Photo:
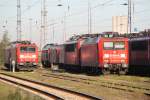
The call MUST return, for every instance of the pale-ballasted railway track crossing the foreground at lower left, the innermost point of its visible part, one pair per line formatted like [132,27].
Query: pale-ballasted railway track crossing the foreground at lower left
[50,92]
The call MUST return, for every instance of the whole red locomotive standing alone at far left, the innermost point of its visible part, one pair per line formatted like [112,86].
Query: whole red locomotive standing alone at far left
[23,53]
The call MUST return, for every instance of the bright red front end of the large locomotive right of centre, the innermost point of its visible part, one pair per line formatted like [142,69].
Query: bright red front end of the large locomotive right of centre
[115,55]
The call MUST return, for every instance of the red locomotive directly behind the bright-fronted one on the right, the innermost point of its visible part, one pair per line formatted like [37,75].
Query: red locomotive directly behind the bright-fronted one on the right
[72,52]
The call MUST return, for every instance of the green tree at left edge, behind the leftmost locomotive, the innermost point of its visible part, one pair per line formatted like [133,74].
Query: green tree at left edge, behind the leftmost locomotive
[3,44]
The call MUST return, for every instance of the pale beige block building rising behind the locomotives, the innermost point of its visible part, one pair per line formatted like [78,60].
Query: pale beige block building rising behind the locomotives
[120,24]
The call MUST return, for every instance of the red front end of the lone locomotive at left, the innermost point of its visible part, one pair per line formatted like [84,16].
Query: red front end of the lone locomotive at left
[27,57]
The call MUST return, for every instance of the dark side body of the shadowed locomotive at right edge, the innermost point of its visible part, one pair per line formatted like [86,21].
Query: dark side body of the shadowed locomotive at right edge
[139,52]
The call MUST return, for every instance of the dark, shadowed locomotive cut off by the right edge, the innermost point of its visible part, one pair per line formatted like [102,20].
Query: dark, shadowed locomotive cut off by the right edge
[140,52]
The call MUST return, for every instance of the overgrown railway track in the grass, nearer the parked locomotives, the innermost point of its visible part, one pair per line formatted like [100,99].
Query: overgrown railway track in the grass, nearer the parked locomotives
[107,84]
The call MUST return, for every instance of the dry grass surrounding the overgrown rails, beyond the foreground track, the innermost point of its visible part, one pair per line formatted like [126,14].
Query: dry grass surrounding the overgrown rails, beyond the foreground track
[96,90]
